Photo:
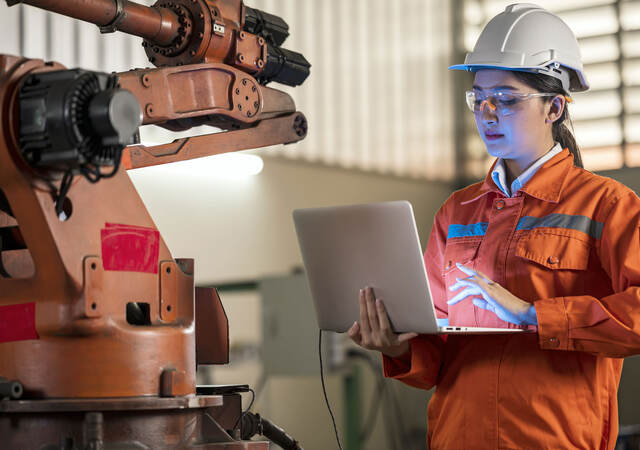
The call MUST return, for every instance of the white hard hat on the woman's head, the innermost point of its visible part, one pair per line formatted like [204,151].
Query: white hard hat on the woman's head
[529,38]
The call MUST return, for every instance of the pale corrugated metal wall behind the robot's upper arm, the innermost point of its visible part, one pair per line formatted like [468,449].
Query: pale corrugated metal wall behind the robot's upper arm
[378,98]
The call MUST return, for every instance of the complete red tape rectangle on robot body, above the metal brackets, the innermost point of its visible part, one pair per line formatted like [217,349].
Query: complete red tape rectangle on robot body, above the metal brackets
[130,248]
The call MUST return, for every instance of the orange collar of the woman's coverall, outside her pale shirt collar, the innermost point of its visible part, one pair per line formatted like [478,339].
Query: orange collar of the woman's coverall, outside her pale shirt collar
[546,185]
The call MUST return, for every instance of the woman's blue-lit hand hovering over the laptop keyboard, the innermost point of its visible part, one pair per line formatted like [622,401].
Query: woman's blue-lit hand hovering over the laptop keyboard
[495,298]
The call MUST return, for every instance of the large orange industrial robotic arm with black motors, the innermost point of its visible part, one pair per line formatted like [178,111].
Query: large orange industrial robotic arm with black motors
[100,326]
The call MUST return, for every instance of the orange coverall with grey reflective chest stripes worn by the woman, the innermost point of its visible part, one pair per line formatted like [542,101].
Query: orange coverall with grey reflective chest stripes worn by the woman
[568,241]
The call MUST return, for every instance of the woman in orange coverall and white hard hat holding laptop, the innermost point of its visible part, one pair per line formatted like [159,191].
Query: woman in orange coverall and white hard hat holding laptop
[540,243]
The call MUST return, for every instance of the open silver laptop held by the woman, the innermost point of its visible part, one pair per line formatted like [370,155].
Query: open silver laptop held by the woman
[347,248]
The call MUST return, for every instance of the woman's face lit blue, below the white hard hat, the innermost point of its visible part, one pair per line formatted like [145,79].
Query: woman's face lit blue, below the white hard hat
[524,133]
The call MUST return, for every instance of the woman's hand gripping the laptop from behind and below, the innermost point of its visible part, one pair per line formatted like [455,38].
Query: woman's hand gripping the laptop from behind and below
[374,332]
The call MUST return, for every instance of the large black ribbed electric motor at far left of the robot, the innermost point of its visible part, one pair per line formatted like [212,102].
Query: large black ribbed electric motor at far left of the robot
[76,122]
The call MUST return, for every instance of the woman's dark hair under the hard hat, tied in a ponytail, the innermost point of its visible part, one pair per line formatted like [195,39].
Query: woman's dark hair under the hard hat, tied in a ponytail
[559,131]
